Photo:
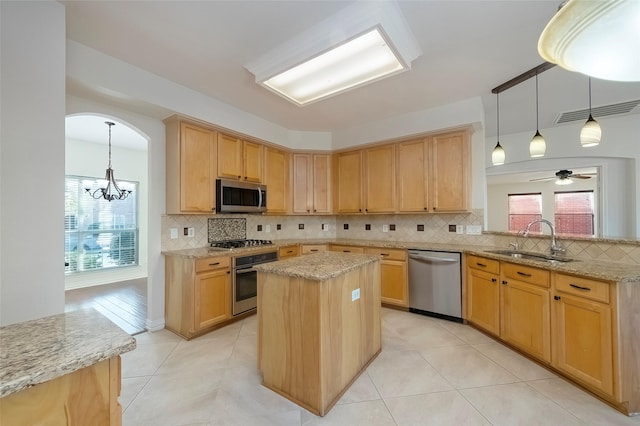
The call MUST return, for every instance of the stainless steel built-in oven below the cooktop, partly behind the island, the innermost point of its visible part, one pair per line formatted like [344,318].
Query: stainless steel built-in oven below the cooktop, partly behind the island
[245,280]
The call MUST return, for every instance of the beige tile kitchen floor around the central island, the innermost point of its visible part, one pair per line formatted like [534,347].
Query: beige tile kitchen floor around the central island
[430,372]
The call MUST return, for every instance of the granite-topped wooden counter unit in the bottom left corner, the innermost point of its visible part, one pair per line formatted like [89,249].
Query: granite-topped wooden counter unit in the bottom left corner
[62,369]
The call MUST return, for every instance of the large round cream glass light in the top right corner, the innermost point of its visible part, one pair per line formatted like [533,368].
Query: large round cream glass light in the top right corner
[597,38]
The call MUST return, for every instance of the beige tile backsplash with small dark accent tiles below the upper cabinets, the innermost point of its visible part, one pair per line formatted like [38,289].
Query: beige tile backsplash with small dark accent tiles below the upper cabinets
[440,228]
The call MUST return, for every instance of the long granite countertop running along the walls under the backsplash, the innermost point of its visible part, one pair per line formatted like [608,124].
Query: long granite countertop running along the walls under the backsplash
[611,271]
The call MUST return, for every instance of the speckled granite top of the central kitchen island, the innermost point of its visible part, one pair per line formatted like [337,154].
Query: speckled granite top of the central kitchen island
[318,266]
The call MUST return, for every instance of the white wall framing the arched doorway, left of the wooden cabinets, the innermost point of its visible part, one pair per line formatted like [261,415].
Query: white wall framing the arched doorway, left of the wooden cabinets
[153,130]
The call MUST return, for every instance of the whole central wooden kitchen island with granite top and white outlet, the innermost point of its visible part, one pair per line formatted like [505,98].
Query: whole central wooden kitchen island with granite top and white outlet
[318,325]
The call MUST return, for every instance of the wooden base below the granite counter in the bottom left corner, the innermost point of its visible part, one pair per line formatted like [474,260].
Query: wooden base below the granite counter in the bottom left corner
[88,396]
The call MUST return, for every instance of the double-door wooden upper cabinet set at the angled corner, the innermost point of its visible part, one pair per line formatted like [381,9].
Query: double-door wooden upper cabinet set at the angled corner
[311,183]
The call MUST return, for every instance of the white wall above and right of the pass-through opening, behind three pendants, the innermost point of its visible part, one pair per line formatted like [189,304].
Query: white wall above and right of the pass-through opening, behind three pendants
[617,154]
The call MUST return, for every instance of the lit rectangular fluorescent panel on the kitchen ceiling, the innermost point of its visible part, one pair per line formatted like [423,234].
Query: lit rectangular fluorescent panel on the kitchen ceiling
[362,60]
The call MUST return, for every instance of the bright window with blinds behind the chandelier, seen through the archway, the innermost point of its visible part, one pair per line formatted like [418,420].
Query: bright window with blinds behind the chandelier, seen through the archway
[98,234]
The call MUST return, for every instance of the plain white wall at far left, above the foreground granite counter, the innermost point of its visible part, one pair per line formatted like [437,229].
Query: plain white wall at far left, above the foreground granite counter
[32,160]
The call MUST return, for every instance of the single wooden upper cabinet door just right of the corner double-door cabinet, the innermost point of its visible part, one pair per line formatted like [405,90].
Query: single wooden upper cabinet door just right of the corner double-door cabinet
[347,182]
